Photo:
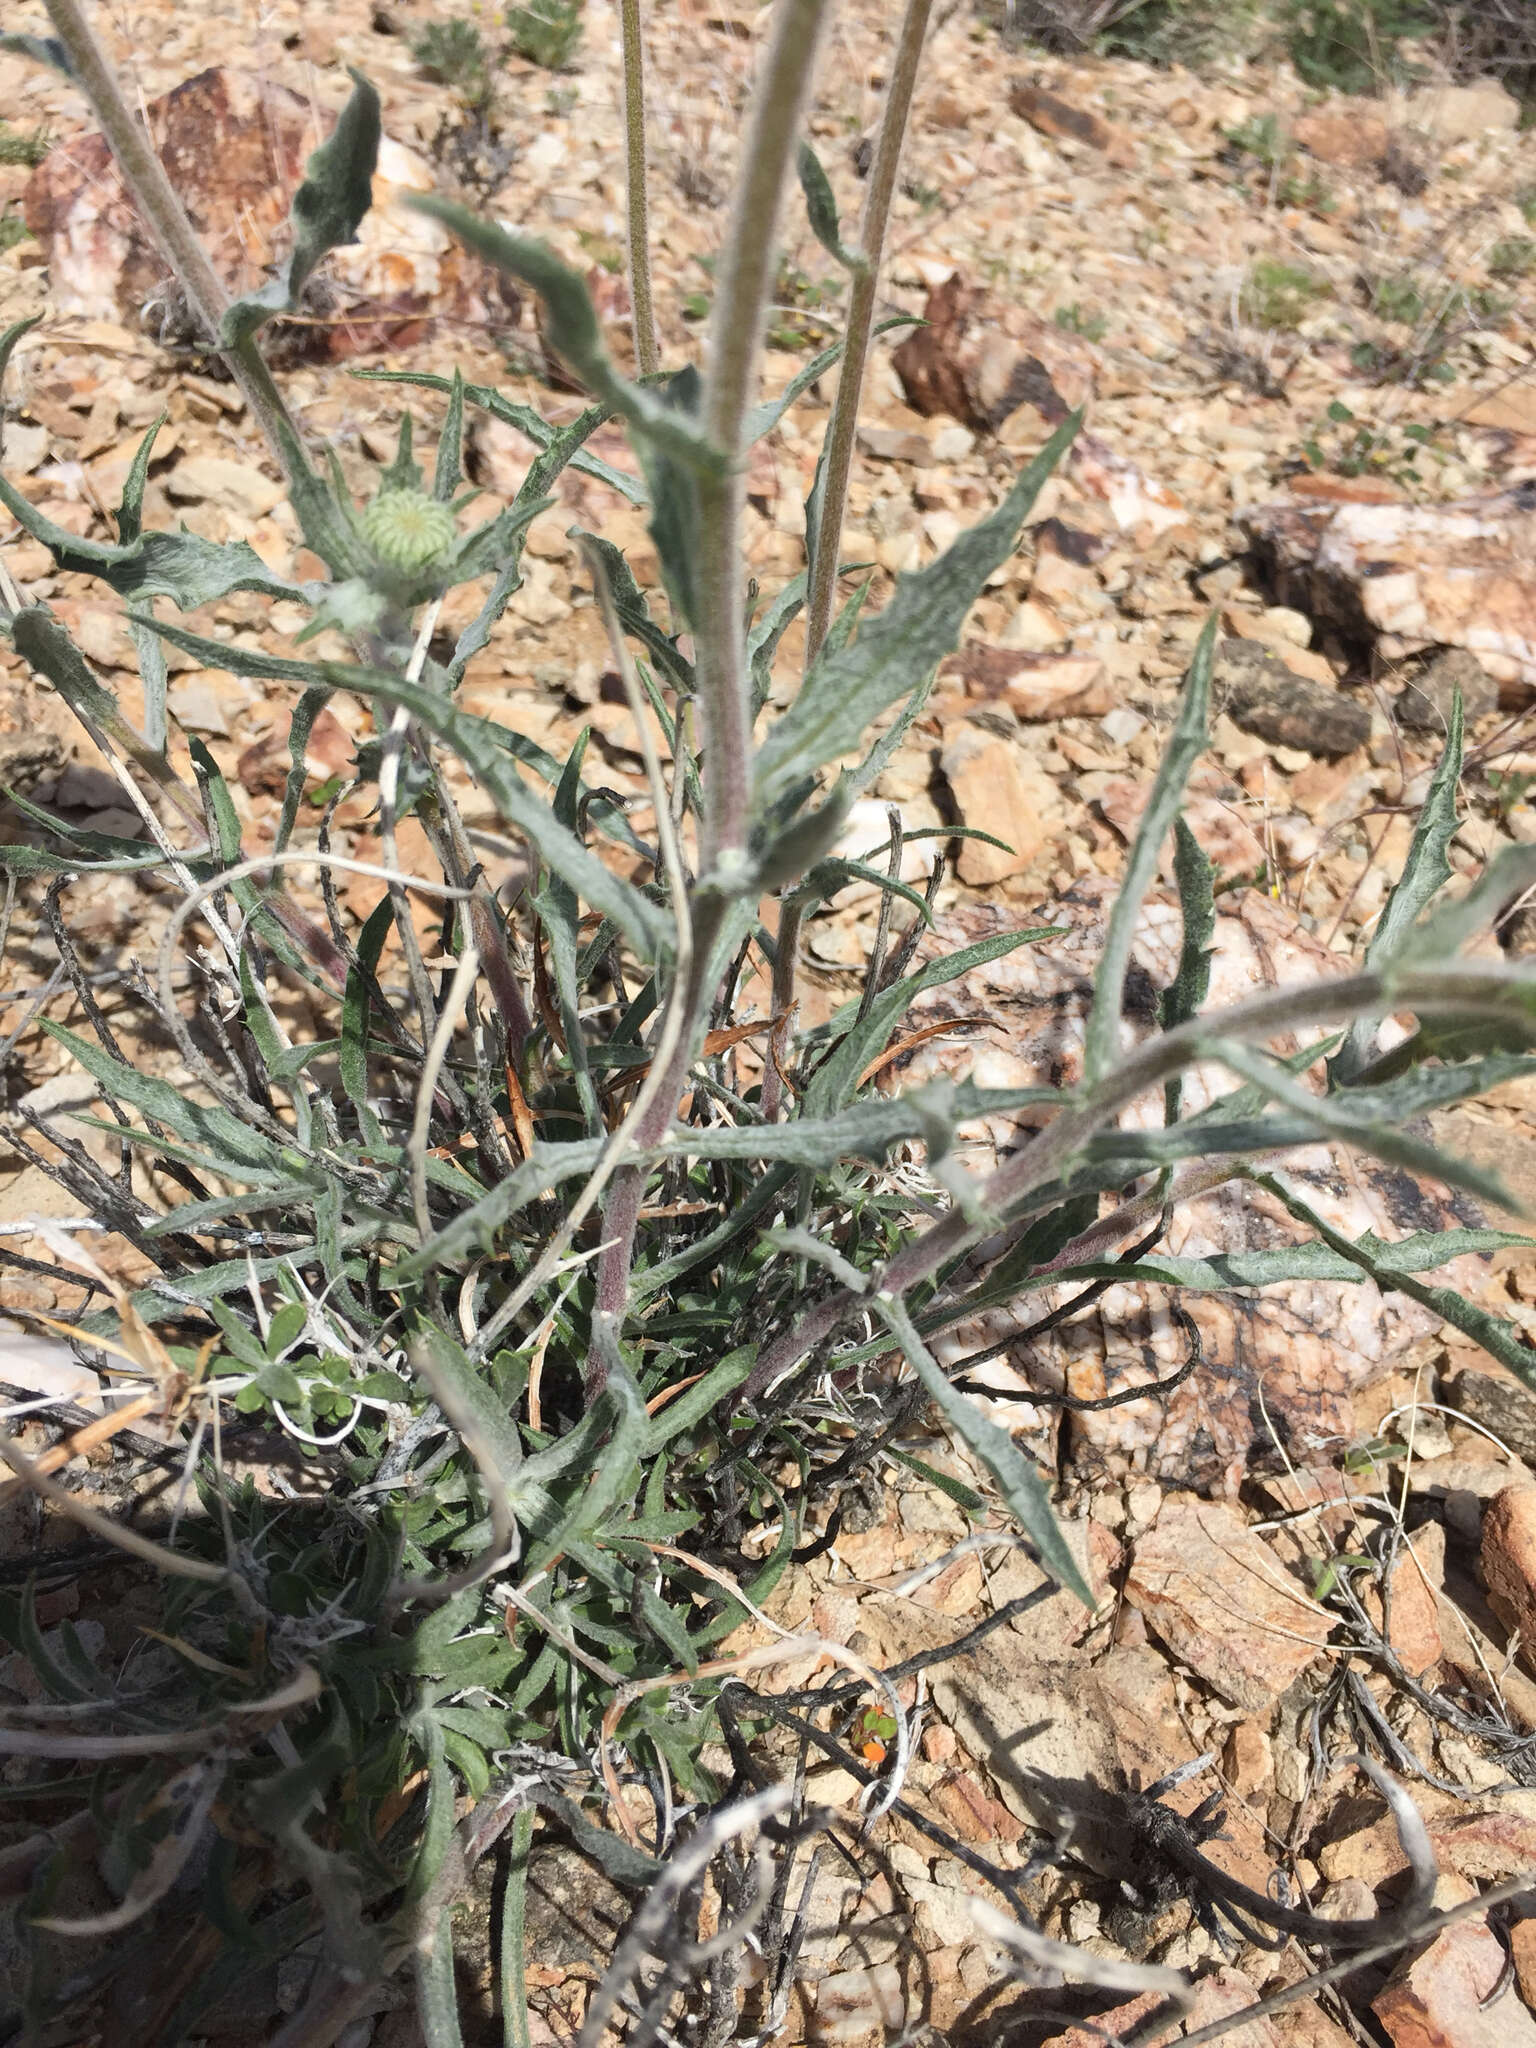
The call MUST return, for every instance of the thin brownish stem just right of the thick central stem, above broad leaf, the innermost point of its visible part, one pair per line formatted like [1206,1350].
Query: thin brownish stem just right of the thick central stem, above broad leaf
[861,321]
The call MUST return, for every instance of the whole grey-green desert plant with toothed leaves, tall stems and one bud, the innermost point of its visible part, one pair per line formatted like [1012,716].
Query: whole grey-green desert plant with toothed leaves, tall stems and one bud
[583,1318]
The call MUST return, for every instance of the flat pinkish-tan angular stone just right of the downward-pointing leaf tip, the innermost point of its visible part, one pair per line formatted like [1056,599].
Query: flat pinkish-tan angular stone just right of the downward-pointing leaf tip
[1224,1605]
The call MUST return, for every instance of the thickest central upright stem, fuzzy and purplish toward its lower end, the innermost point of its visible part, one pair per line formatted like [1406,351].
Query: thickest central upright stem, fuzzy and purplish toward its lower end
[742,288]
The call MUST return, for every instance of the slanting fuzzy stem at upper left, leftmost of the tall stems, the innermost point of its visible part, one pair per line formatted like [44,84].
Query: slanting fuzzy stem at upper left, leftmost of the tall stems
[179,245]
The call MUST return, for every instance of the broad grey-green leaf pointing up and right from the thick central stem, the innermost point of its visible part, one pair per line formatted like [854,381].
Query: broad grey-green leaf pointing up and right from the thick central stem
[896,652]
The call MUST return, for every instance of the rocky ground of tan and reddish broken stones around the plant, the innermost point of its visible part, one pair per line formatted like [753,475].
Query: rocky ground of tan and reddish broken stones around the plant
[1302,331]
